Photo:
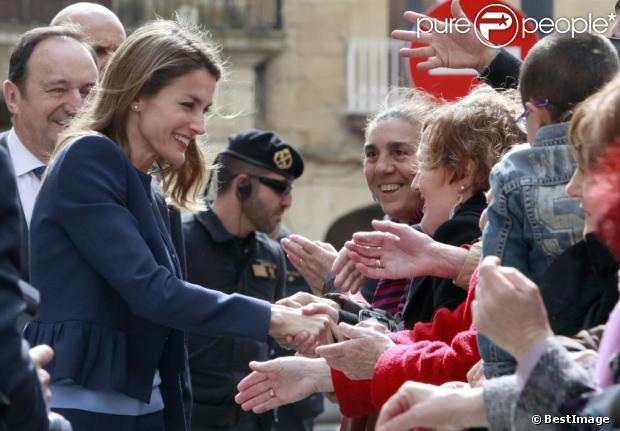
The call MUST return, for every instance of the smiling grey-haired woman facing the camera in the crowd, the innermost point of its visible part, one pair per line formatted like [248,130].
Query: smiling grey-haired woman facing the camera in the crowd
[391,140]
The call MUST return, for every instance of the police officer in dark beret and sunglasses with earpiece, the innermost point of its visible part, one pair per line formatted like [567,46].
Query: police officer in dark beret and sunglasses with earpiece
[226,250]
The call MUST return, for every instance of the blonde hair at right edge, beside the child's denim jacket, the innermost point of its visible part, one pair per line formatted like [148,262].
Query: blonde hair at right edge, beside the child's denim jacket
[595,124]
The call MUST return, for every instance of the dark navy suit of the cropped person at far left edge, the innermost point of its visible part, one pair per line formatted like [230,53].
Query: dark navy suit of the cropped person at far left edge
[21,400]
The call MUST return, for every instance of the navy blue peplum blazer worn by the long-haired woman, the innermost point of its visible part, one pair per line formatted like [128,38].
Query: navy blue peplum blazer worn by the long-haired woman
[112,304]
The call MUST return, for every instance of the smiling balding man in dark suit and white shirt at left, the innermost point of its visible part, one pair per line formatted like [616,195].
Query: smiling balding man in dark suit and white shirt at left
[51,71]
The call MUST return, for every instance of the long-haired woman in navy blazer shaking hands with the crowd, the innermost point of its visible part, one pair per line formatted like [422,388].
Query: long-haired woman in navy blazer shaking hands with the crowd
[114,306]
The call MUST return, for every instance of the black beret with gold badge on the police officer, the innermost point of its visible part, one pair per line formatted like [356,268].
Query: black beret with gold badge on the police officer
[267,150]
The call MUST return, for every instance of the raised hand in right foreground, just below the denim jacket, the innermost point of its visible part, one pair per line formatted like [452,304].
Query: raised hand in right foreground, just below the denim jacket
[508,308]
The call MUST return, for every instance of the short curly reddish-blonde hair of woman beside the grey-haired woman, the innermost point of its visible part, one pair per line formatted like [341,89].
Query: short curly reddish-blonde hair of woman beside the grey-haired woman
[478,129]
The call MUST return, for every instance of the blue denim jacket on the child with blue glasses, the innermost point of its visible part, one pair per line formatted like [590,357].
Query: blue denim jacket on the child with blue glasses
[531,219]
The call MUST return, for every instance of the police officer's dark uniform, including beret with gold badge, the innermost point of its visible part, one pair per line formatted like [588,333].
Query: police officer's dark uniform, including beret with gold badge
[253,266]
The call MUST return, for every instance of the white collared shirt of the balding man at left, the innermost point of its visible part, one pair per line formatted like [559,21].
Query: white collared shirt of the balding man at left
[27,182]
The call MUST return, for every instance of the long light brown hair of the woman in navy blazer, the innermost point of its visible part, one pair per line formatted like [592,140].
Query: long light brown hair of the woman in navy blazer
[150,59]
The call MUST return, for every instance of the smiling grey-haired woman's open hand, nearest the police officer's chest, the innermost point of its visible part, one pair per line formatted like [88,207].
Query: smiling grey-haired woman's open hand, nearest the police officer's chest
[313,259]
